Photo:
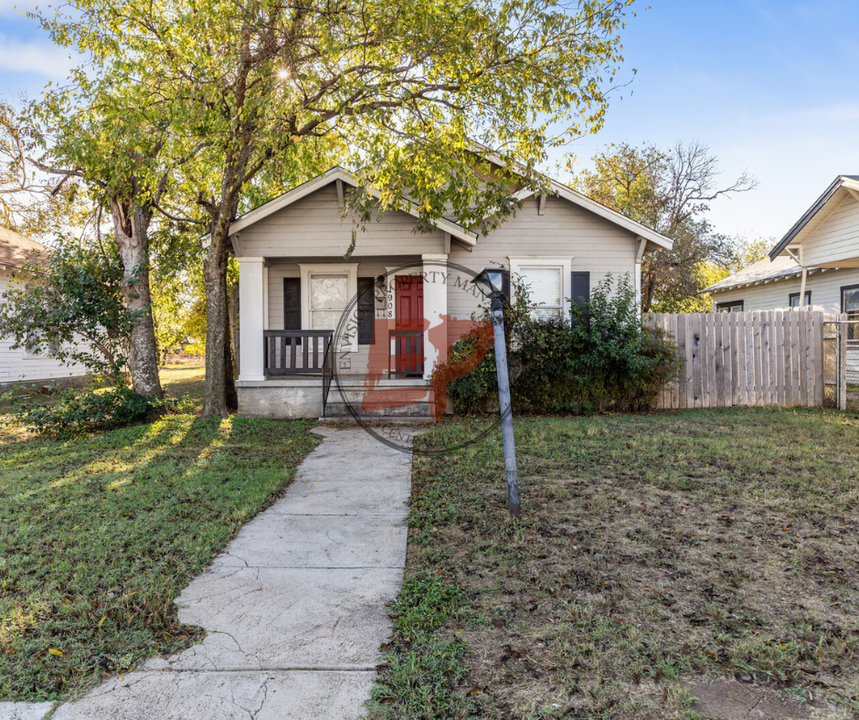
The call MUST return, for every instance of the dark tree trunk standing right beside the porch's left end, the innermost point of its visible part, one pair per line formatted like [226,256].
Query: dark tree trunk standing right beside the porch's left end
[220,385]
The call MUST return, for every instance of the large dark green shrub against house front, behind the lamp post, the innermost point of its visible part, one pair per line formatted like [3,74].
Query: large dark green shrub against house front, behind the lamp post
[600,356]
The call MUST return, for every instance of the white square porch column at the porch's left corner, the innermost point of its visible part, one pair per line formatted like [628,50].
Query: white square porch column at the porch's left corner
[251,318]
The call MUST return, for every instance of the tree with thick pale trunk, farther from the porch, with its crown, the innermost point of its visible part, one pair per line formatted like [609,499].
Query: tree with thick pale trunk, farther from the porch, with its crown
[123,148]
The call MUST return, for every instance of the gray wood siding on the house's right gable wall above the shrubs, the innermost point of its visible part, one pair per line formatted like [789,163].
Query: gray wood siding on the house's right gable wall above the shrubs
[563,230]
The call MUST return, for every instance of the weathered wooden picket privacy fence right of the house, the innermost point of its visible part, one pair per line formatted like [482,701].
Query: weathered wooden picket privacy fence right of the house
[773,357]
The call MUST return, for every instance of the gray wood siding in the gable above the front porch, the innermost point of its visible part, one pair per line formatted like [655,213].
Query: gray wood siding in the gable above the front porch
[316,222]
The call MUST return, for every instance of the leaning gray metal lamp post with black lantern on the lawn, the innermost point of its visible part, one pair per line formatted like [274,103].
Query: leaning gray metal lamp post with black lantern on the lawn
[491,282]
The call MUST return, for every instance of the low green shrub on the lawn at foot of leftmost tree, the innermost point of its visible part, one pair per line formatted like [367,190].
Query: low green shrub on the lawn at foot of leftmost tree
[74,412]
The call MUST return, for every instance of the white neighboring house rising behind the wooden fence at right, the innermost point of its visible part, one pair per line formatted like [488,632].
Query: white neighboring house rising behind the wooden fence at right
[818,259]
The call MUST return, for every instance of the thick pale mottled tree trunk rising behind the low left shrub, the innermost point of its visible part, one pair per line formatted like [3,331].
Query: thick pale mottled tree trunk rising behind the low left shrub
[131,233]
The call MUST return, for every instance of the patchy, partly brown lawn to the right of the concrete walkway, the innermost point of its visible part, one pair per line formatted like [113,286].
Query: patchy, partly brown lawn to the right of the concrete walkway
[652,550]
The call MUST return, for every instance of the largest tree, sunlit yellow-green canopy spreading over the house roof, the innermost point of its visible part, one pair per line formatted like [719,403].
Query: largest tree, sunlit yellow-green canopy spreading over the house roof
[411,87]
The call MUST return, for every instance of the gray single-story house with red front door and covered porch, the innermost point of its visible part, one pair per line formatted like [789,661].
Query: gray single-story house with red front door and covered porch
[405,295]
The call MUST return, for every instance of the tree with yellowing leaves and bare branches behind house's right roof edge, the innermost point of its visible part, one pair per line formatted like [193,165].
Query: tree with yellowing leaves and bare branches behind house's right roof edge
[670,191]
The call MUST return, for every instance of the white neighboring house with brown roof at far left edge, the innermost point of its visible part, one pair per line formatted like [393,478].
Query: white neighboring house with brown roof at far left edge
[19,364]
